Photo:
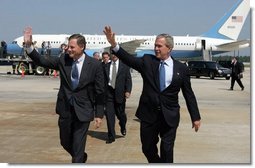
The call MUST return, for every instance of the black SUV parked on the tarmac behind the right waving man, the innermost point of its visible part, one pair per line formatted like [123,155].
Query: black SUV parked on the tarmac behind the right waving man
[211,69]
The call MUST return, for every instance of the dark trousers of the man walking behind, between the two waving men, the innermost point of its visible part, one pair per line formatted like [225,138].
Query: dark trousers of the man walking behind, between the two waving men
[112,109]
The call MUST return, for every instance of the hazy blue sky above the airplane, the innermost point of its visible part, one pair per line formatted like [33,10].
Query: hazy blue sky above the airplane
[128,17]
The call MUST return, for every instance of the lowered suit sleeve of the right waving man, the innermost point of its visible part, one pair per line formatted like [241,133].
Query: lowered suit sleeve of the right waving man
[189,97]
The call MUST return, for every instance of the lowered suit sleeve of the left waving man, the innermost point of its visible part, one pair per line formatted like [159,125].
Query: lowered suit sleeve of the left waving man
[100,89]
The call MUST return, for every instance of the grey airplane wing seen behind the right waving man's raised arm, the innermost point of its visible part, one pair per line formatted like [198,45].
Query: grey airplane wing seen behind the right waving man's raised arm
[129,46]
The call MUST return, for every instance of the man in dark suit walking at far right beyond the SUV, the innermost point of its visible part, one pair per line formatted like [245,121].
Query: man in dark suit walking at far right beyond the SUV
[237,73]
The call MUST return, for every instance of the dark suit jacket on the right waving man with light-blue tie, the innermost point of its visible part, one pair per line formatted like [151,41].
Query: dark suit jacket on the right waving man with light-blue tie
[152,99]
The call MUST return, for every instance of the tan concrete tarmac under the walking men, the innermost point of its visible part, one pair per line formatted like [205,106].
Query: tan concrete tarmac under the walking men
[29,132]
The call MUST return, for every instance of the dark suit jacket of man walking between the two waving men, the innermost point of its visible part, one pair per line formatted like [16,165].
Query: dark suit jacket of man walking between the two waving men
[123,81]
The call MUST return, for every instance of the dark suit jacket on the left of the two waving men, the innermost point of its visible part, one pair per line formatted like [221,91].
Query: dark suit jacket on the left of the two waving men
[89,90]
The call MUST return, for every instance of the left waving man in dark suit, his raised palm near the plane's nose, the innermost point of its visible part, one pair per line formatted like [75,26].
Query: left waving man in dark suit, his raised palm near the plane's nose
[81,85]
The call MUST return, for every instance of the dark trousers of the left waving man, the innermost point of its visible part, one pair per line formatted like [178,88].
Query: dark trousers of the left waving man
[73,135]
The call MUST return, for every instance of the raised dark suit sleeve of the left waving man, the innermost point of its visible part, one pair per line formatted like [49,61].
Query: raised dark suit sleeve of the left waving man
[44,61]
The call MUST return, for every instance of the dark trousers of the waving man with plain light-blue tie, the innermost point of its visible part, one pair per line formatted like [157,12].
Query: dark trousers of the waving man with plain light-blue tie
[149,133]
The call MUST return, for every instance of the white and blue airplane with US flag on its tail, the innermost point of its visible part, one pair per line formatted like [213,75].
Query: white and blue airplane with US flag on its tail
[221,38]
